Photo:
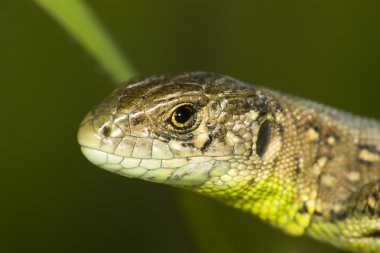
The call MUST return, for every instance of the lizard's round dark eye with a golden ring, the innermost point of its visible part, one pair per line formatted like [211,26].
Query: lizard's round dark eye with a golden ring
[183,117]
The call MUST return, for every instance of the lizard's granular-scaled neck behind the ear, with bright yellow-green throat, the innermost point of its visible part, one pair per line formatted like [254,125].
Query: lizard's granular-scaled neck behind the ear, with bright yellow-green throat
[271,184]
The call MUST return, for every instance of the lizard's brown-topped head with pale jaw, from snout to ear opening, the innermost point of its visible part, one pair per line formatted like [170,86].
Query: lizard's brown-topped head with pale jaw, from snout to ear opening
[194,130]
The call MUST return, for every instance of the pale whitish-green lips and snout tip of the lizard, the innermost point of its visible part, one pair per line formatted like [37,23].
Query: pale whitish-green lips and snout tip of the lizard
[185,171]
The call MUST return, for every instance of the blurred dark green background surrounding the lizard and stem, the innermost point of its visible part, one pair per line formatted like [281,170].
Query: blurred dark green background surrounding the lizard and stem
[53,200]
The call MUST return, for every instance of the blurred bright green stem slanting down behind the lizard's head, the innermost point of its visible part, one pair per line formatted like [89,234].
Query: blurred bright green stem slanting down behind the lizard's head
[78,20]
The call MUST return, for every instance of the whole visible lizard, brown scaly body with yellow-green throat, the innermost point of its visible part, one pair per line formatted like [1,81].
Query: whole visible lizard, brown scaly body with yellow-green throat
[301,166]
